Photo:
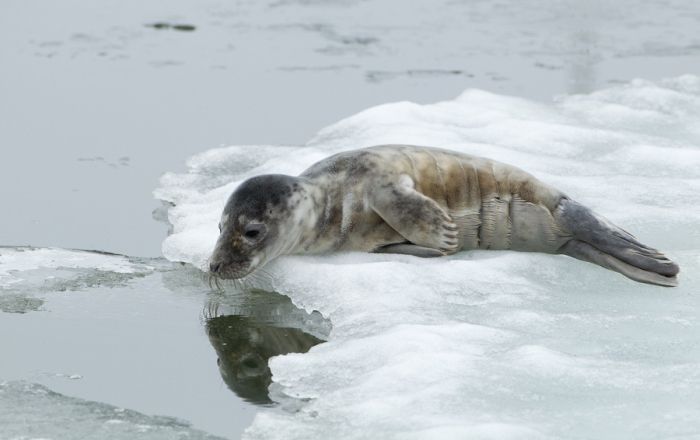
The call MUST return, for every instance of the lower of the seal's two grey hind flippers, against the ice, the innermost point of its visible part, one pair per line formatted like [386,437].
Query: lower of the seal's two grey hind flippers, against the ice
[586,252]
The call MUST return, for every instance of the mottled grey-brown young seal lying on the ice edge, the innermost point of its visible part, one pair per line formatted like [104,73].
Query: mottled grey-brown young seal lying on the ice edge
[420,201]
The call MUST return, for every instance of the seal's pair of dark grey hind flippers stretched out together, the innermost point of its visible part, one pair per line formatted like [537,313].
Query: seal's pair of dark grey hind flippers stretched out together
[598,241]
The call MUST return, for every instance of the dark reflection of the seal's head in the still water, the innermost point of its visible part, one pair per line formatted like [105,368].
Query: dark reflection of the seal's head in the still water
[245,343]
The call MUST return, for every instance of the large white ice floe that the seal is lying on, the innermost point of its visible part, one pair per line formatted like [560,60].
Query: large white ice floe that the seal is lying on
[492,344]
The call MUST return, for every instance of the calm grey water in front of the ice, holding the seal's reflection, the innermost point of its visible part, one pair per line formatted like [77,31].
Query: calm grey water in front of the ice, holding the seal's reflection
[145,341]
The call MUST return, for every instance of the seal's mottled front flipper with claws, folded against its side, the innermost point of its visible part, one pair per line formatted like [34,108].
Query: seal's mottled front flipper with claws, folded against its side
[417,218]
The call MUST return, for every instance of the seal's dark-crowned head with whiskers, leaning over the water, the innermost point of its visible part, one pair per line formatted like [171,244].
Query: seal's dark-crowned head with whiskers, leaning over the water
[260,221]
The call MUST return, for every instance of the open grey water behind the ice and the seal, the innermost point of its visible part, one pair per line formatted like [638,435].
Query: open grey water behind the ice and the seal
[97,102]
